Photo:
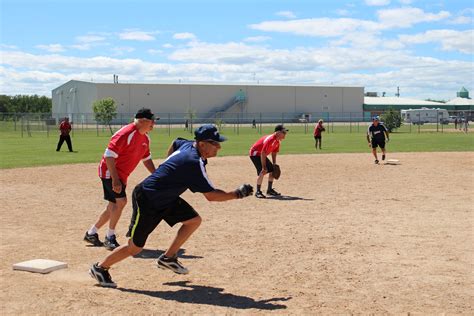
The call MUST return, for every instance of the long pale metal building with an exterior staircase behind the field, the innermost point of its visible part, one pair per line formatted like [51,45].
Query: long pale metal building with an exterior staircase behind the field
[77,97]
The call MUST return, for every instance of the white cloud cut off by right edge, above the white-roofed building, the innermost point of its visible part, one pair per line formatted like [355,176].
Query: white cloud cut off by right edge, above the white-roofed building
[450,40]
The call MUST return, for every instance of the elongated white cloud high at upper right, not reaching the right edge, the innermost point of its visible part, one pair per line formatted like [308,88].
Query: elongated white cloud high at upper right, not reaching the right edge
[406,17]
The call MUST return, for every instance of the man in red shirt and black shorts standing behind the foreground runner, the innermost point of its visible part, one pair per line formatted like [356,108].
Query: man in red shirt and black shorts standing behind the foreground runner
[127,147]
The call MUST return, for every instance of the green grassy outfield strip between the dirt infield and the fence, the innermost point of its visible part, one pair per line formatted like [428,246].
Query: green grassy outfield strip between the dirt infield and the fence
[39,148]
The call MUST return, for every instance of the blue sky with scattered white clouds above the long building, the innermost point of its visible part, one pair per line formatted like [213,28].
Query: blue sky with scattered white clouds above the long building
[424,47]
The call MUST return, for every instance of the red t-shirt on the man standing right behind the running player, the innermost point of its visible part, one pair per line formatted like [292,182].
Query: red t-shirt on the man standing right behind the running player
[128,147]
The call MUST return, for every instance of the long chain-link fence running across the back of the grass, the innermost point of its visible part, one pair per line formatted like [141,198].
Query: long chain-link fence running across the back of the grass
[27,124]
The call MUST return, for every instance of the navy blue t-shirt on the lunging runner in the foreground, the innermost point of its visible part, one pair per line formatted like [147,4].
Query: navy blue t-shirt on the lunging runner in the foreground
[183,169]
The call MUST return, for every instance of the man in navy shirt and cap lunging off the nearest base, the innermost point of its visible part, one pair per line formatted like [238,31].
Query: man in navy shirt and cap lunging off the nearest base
[158,198]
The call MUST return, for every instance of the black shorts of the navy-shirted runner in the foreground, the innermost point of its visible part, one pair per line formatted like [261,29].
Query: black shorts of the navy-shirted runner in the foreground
[149,217]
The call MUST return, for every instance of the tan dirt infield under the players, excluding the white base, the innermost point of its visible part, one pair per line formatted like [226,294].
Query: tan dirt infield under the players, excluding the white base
[349,237]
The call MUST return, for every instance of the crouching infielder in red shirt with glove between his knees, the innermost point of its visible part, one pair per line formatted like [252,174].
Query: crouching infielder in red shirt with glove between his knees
[268,144]
